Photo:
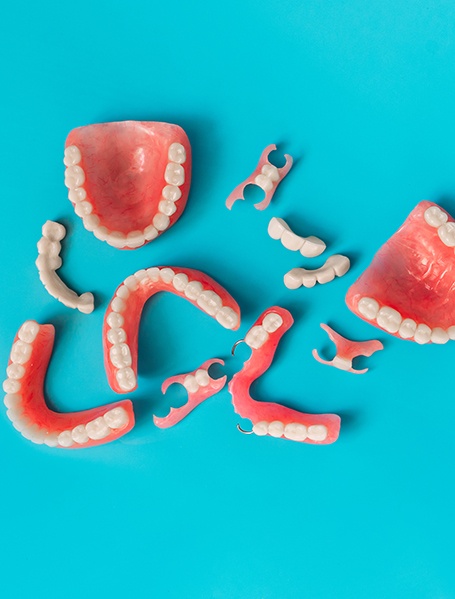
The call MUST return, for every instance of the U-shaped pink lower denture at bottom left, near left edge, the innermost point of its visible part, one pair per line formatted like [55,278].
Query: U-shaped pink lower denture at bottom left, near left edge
[27,409]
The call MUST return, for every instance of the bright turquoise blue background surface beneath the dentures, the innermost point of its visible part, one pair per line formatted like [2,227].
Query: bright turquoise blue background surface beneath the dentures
[361,94]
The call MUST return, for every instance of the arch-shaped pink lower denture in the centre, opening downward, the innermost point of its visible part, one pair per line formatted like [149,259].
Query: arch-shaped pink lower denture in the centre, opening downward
[121,323]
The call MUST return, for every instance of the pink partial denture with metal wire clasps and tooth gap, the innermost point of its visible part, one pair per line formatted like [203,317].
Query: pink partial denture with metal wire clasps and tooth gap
[271,418]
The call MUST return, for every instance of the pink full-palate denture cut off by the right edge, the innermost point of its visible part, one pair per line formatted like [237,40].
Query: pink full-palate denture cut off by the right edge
[408,289]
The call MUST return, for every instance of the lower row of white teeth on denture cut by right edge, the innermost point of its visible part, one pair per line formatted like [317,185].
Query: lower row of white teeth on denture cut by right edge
[391,321]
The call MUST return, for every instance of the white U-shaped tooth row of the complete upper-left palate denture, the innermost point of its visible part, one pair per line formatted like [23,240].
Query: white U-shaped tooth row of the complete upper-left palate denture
[174,176]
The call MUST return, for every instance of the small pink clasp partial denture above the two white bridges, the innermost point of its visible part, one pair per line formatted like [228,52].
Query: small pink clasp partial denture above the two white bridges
[266,176]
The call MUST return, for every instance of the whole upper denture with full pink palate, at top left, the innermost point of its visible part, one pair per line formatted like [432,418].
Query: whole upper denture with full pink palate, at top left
[129,181]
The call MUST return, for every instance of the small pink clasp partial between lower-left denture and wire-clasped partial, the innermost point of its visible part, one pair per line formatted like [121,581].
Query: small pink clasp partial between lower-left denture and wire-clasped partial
[200,386]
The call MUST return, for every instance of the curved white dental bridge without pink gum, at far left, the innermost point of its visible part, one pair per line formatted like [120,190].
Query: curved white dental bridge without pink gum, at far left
[49,261]
